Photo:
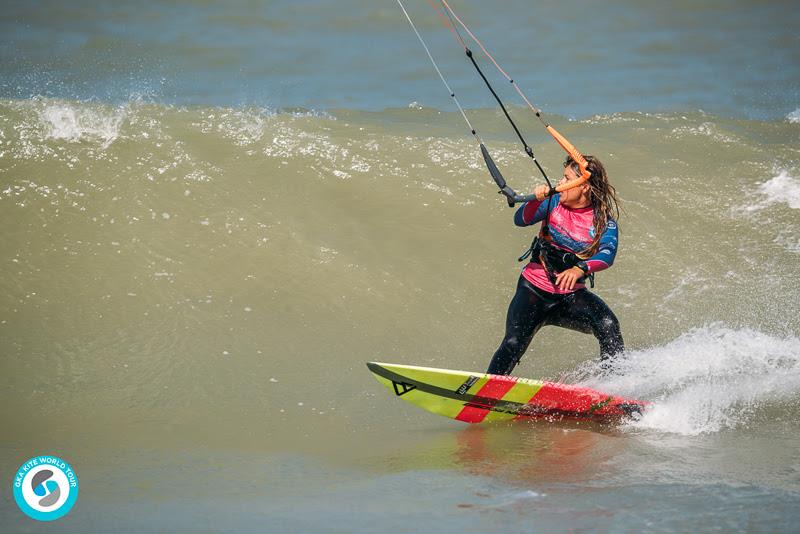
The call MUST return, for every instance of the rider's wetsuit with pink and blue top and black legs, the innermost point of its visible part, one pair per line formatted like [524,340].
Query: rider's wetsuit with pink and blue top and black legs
[538,301]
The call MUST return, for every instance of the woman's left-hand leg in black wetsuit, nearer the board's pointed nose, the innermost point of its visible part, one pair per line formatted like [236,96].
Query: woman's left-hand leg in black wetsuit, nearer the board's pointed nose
[526,314]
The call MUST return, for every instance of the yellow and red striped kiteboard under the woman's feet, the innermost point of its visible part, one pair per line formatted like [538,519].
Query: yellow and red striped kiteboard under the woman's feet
[478,397]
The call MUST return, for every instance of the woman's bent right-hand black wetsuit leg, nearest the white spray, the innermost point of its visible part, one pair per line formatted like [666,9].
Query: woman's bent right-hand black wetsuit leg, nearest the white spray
[586,312]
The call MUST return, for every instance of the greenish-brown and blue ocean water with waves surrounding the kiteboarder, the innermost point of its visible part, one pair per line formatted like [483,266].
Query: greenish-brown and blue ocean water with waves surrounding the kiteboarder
[215,214]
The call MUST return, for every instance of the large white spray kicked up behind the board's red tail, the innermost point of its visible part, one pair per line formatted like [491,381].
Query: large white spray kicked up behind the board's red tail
[708,379]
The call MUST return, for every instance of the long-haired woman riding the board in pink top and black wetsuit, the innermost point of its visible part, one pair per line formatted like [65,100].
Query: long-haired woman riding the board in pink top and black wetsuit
[578,238]
